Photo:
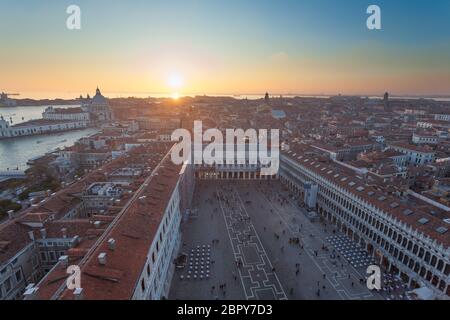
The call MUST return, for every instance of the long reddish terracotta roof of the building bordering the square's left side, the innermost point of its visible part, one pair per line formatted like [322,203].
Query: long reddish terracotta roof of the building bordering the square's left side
[134,233]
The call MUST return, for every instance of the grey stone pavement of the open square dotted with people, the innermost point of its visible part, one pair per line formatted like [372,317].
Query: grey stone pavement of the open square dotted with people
[249,226]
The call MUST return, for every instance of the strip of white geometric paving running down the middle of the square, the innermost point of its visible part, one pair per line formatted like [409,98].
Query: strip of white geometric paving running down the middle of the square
[258,278]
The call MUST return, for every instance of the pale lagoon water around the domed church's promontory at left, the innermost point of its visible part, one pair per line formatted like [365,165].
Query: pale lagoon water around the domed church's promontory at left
[15,152]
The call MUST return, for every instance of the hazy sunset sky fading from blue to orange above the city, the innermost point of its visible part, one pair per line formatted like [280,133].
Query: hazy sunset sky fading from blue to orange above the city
[224,47]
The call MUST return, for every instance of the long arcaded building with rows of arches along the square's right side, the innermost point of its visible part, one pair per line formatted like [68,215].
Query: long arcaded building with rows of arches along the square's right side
[418,258]
